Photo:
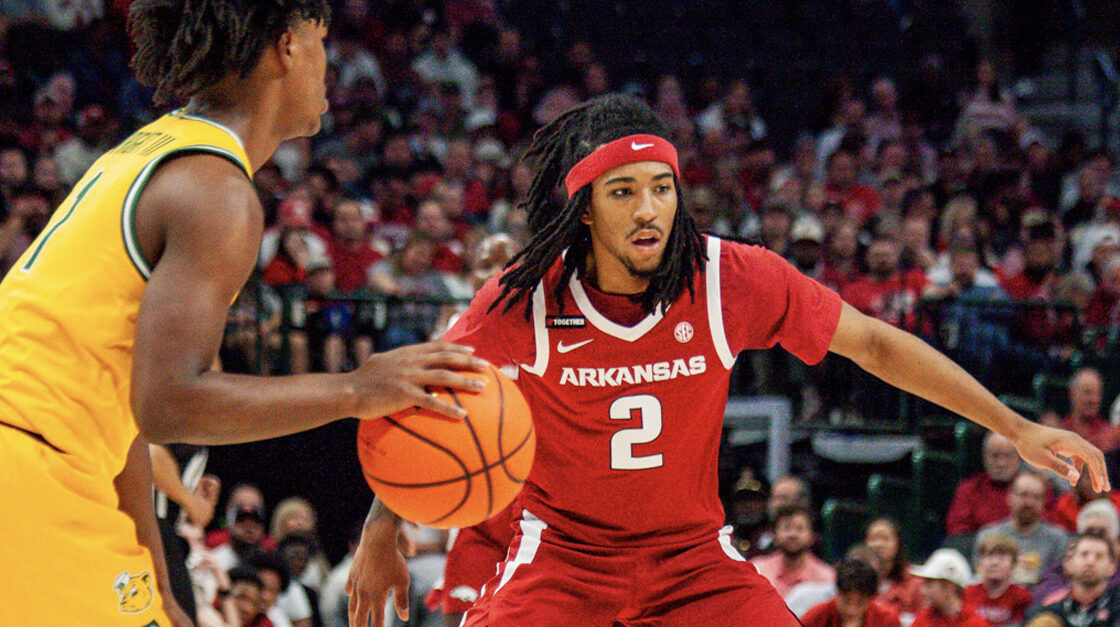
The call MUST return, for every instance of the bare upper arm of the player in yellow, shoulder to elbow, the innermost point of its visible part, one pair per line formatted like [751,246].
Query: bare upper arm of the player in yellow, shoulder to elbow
[211,231]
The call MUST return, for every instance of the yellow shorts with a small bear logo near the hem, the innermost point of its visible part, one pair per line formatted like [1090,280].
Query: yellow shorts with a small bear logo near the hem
[68,556]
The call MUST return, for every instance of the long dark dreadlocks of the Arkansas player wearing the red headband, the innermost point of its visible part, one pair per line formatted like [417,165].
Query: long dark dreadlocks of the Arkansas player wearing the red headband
[555,149]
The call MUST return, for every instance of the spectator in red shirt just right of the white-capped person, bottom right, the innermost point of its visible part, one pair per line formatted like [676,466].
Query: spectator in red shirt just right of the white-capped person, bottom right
[995,597]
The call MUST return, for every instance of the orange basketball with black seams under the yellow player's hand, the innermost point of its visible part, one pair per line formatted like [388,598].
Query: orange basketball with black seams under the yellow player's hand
[446,473]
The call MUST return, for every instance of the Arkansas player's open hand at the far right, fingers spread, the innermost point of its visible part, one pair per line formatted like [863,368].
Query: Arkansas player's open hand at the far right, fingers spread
[1046,447]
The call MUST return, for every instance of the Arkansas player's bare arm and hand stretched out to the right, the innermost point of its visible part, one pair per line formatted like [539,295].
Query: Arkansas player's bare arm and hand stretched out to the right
[906,362]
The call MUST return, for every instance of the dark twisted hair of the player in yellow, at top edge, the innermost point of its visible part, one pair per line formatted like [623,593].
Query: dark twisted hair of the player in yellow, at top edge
[184,46]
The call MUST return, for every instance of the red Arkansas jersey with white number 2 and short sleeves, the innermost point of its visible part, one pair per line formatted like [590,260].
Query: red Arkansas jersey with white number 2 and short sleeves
[629,418]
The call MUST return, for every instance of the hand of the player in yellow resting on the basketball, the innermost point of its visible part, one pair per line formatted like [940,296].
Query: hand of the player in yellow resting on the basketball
[397,380]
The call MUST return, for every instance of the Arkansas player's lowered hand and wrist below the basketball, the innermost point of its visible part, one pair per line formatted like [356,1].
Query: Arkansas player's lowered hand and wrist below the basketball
[379,567]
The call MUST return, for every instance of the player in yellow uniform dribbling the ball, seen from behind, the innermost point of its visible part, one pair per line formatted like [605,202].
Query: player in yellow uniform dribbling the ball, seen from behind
[114,316]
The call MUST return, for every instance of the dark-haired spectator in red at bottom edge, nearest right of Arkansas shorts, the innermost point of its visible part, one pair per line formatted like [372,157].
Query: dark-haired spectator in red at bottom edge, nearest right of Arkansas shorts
[855,605]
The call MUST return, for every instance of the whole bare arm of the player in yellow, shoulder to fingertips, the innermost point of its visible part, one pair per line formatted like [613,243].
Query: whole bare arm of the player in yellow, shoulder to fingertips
[200,222]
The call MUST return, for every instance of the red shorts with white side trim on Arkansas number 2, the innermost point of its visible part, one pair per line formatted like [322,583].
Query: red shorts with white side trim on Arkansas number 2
[549,582]
